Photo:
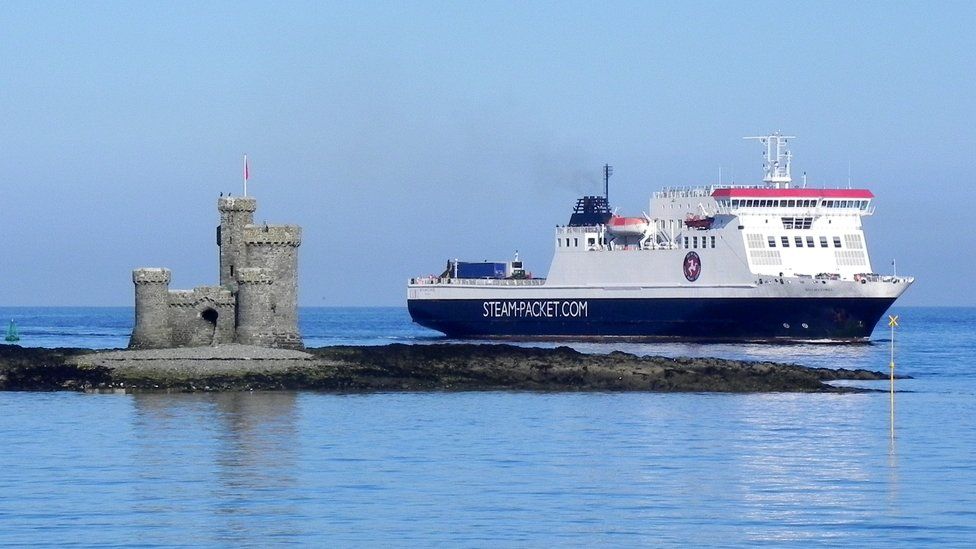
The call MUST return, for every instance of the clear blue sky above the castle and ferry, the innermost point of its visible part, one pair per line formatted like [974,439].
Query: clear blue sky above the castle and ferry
[401,134]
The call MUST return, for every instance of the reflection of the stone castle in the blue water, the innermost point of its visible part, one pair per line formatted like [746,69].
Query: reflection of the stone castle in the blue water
[221,466]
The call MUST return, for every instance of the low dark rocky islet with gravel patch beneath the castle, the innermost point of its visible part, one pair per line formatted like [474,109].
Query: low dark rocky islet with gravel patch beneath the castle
[398,367]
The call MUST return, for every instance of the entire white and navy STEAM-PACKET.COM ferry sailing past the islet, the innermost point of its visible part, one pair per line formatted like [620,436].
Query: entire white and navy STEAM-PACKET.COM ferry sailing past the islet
[768,262]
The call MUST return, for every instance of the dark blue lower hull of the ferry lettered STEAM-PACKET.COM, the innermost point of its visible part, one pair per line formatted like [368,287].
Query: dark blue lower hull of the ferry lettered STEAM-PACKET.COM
[716,319]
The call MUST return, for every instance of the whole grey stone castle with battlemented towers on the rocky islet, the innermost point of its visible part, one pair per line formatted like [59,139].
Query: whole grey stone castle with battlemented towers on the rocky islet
[256,302]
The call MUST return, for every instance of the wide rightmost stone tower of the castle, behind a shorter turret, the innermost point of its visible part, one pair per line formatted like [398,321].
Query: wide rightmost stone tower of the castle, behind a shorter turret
[274,248]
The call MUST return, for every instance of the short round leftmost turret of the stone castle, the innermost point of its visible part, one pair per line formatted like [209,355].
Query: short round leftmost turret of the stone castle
[152,328]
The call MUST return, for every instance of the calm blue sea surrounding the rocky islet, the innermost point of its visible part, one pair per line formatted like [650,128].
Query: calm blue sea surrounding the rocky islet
[499,468]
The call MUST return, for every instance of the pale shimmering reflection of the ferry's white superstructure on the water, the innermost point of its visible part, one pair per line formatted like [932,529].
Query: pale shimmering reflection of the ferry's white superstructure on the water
[766,467]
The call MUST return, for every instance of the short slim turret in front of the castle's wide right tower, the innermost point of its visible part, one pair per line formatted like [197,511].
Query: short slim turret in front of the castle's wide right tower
[255,317]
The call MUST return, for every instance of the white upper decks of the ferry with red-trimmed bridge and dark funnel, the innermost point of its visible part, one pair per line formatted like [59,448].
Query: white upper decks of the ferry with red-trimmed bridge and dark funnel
[769,229]
